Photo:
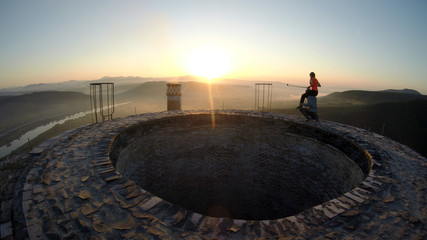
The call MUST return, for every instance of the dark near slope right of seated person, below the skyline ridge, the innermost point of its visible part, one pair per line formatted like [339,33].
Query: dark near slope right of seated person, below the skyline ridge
[405,122]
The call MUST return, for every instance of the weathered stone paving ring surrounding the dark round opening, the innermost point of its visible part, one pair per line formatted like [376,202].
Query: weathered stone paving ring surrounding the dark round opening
[74,192]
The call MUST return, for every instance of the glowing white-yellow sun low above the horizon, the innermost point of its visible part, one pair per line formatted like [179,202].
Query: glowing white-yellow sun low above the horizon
[208,61]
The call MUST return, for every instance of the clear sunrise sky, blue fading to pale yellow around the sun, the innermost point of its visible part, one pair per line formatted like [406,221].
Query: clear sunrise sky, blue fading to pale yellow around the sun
[364,44]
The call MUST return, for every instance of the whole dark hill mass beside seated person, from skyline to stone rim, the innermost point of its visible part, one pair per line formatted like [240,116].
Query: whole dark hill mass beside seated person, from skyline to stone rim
[401,116]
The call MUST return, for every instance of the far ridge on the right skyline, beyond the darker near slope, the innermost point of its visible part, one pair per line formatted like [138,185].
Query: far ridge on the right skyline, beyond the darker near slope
[358,97]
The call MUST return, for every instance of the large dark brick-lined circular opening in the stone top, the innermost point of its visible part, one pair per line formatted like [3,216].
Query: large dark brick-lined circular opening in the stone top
[243,167]
